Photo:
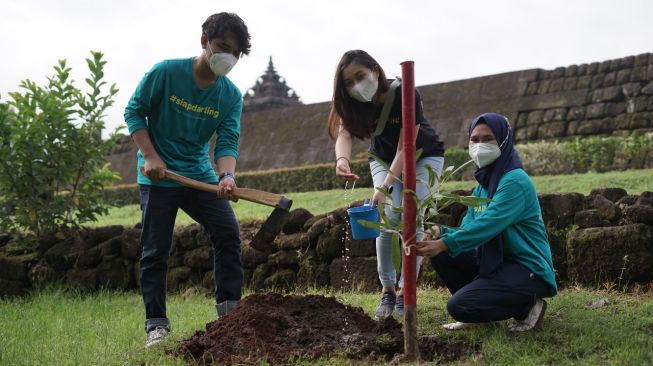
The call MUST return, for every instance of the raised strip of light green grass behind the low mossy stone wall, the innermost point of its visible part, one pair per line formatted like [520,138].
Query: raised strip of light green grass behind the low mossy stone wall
[633,181]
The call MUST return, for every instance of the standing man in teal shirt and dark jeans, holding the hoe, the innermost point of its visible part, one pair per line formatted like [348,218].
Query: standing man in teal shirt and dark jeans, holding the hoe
[171,116]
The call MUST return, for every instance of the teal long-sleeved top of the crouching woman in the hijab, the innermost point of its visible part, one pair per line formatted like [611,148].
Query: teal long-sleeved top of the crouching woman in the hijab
[515,211]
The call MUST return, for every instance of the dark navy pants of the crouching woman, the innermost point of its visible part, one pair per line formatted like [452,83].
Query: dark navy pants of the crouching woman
[510,293]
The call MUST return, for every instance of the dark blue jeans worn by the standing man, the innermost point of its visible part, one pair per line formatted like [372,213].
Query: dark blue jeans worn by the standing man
[159,206]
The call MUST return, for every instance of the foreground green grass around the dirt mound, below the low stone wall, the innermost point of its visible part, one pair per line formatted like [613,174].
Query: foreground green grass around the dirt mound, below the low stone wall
[57,328]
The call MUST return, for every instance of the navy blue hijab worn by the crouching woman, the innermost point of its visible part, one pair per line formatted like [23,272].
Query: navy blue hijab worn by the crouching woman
[490,254]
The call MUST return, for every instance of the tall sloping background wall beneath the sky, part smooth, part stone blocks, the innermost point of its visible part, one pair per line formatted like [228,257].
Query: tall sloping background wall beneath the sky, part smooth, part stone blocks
[600,98]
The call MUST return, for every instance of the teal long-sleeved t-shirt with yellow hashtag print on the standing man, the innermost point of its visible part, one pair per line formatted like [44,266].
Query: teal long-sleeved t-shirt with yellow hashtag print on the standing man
[180,118]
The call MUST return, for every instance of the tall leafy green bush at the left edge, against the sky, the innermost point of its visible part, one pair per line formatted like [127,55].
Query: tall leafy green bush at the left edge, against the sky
[52,172]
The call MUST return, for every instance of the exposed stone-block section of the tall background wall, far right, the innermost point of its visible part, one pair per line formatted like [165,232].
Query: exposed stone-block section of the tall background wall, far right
[599,98]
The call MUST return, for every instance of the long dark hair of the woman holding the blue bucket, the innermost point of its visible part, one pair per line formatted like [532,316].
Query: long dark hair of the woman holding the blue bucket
[357,118]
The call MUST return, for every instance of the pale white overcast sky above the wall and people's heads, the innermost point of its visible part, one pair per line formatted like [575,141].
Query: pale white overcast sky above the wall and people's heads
[447,40]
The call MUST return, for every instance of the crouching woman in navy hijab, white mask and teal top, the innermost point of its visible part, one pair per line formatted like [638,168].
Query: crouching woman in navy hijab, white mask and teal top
[497,264]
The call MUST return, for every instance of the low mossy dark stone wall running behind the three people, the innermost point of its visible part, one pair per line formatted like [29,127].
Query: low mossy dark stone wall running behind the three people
[606,237]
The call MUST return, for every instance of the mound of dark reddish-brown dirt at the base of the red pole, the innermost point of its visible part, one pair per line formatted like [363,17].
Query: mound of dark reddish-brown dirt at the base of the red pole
[278,329]
